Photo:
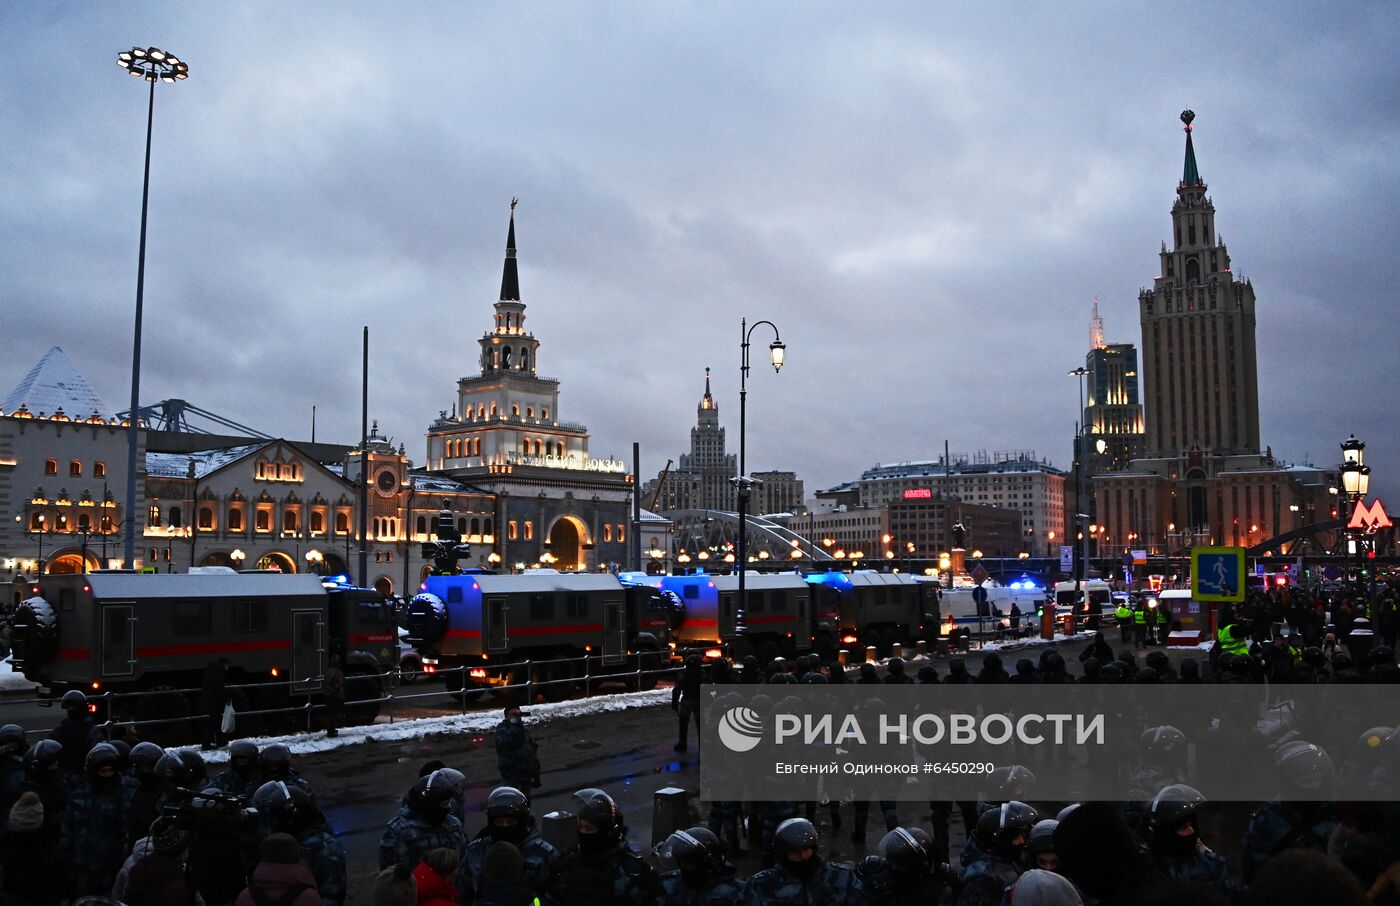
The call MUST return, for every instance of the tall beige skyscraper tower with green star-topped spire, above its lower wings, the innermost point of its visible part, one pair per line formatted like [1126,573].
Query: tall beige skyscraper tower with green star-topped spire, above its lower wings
[1200,372]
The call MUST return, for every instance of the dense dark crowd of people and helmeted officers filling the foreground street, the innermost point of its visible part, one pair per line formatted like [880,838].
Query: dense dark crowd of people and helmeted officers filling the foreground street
[148,827]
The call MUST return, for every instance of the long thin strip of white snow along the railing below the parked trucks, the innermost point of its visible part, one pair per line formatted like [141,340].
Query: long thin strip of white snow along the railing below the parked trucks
[475,722]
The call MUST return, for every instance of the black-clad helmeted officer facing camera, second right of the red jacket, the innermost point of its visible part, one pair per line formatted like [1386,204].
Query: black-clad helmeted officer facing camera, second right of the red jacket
[601,867]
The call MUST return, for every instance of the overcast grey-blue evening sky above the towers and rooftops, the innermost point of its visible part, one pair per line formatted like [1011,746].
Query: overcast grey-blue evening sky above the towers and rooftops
[925,198]
